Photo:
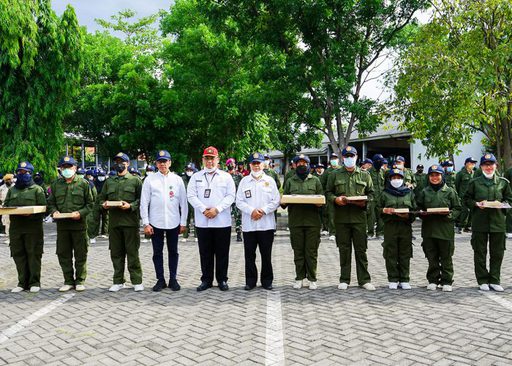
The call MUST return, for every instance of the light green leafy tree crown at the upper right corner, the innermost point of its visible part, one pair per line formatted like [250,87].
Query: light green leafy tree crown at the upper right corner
[456,78]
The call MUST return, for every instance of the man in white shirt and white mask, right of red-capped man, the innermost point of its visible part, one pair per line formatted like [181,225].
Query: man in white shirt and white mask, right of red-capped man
[258,198]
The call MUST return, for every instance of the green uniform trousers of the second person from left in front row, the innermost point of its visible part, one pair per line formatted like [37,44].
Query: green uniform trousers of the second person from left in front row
[73,243]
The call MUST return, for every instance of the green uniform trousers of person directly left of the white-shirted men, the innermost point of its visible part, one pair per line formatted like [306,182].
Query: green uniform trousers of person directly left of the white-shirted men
[124,244]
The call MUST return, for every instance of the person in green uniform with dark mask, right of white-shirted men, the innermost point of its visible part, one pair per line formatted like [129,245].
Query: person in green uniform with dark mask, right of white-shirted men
[304,223]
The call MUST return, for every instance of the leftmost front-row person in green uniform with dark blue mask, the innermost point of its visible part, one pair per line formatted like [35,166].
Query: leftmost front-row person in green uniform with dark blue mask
[26,231]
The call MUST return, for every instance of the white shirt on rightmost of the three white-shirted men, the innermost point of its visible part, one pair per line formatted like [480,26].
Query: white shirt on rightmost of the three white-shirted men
[258,194]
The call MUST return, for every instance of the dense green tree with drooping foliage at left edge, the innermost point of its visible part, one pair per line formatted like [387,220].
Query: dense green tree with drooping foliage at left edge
[40,64]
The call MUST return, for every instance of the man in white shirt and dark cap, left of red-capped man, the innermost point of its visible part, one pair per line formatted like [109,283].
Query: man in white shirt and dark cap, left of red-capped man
[164,209]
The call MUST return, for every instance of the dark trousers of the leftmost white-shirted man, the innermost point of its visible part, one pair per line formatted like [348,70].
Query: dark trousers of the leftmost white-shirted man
[172,250]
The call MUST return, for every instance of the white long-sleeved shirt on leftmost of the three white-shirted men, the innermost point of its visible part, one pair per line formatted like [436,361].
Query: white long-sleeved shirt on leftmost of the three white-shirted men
[163,201]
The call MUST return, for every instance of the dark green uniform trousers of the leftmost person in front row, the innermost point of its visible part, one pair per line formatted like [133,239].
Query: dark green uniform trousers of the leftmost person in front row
[27,251]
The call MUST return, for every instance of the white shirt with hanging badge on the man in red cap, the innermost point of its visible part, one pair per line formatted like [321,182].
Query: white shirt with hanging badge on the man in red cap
[215,190]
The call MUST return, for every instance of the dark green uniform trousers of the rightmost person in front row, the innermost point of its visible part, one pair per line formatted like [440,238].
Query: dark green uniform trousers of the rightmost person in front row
[496,252]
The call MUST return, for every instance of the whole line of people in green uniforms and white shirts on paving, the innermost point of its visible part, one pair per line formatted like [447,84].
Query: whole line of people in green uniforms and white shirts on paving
[360,200]
